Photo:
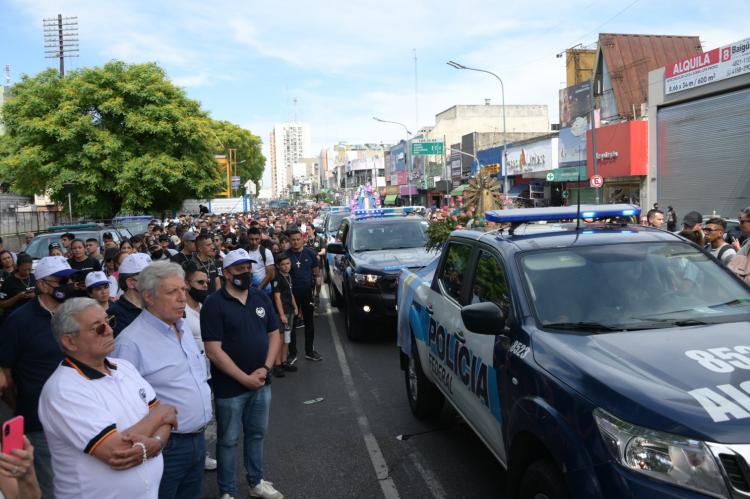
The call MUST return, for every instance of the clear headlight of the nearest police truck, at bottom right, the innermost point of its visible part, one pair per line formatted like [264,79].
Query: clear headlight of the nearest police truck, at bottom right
[678,460]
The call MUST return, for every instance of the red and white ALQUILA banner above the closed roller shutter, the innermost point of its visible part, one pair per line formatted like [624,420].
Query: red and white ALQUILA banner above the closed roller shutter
[708,67]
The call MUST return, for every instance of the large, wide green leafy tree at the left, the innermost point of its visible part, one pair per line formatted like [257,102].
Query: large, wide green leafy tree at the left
[128,138]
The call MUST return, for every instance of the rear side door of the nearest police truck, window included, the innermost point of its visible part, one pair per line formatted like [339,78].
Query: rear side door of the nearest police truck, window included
[448,357]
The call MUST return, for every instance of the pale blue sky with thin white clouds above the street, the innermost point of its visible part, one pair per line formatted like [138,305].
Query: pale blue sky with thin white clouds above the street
[336,64]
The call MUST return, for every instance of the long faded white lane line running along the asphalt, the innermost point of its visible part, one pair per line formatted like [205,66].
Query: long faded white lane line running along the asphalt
[387,486]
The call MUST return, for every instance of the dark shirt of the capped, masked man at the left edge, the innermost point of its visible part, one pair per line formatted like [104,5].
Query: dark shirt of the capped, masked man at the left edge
[29,349]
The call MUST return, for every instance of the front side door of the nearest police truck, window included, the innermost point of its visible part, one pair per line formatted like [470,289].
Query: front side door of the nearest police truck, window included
[486,282]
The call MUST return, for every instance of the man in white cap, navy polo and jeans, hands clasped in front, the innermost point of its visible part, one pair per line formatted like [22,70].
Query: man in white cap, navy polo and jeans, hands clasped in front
[241,336]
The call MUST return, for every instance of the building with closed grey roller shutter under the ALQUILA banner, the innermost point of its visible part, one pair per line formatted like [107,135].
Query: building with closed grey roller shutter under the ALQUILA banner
[700,132]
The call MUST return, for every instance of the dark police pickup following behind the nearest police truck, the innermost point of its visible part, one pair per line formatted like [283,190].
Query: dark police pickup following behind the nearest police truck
[371,248]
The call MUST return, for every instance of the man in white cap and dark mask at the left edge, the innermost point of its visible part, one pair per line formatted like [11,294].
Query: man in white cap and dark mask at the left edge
[29,354]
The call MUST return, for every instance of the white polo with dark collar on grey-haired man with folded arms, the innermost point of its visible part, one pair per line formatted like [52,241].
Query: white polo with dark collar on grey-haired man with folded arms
[80,408]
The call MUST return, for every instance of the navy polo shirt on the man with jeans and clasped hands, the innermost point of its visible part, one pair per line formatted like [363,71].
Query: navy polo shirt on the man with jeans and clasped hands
[242,330]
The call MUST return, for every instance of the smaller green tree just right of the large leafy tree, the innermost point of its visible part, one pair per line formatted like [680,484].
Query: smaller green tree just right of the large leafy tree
[250,159]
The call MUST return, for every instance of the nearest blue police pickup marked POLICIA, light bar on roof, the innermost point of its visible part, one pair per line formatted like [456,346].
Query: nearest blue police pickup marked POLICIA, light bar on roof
[598,360]
